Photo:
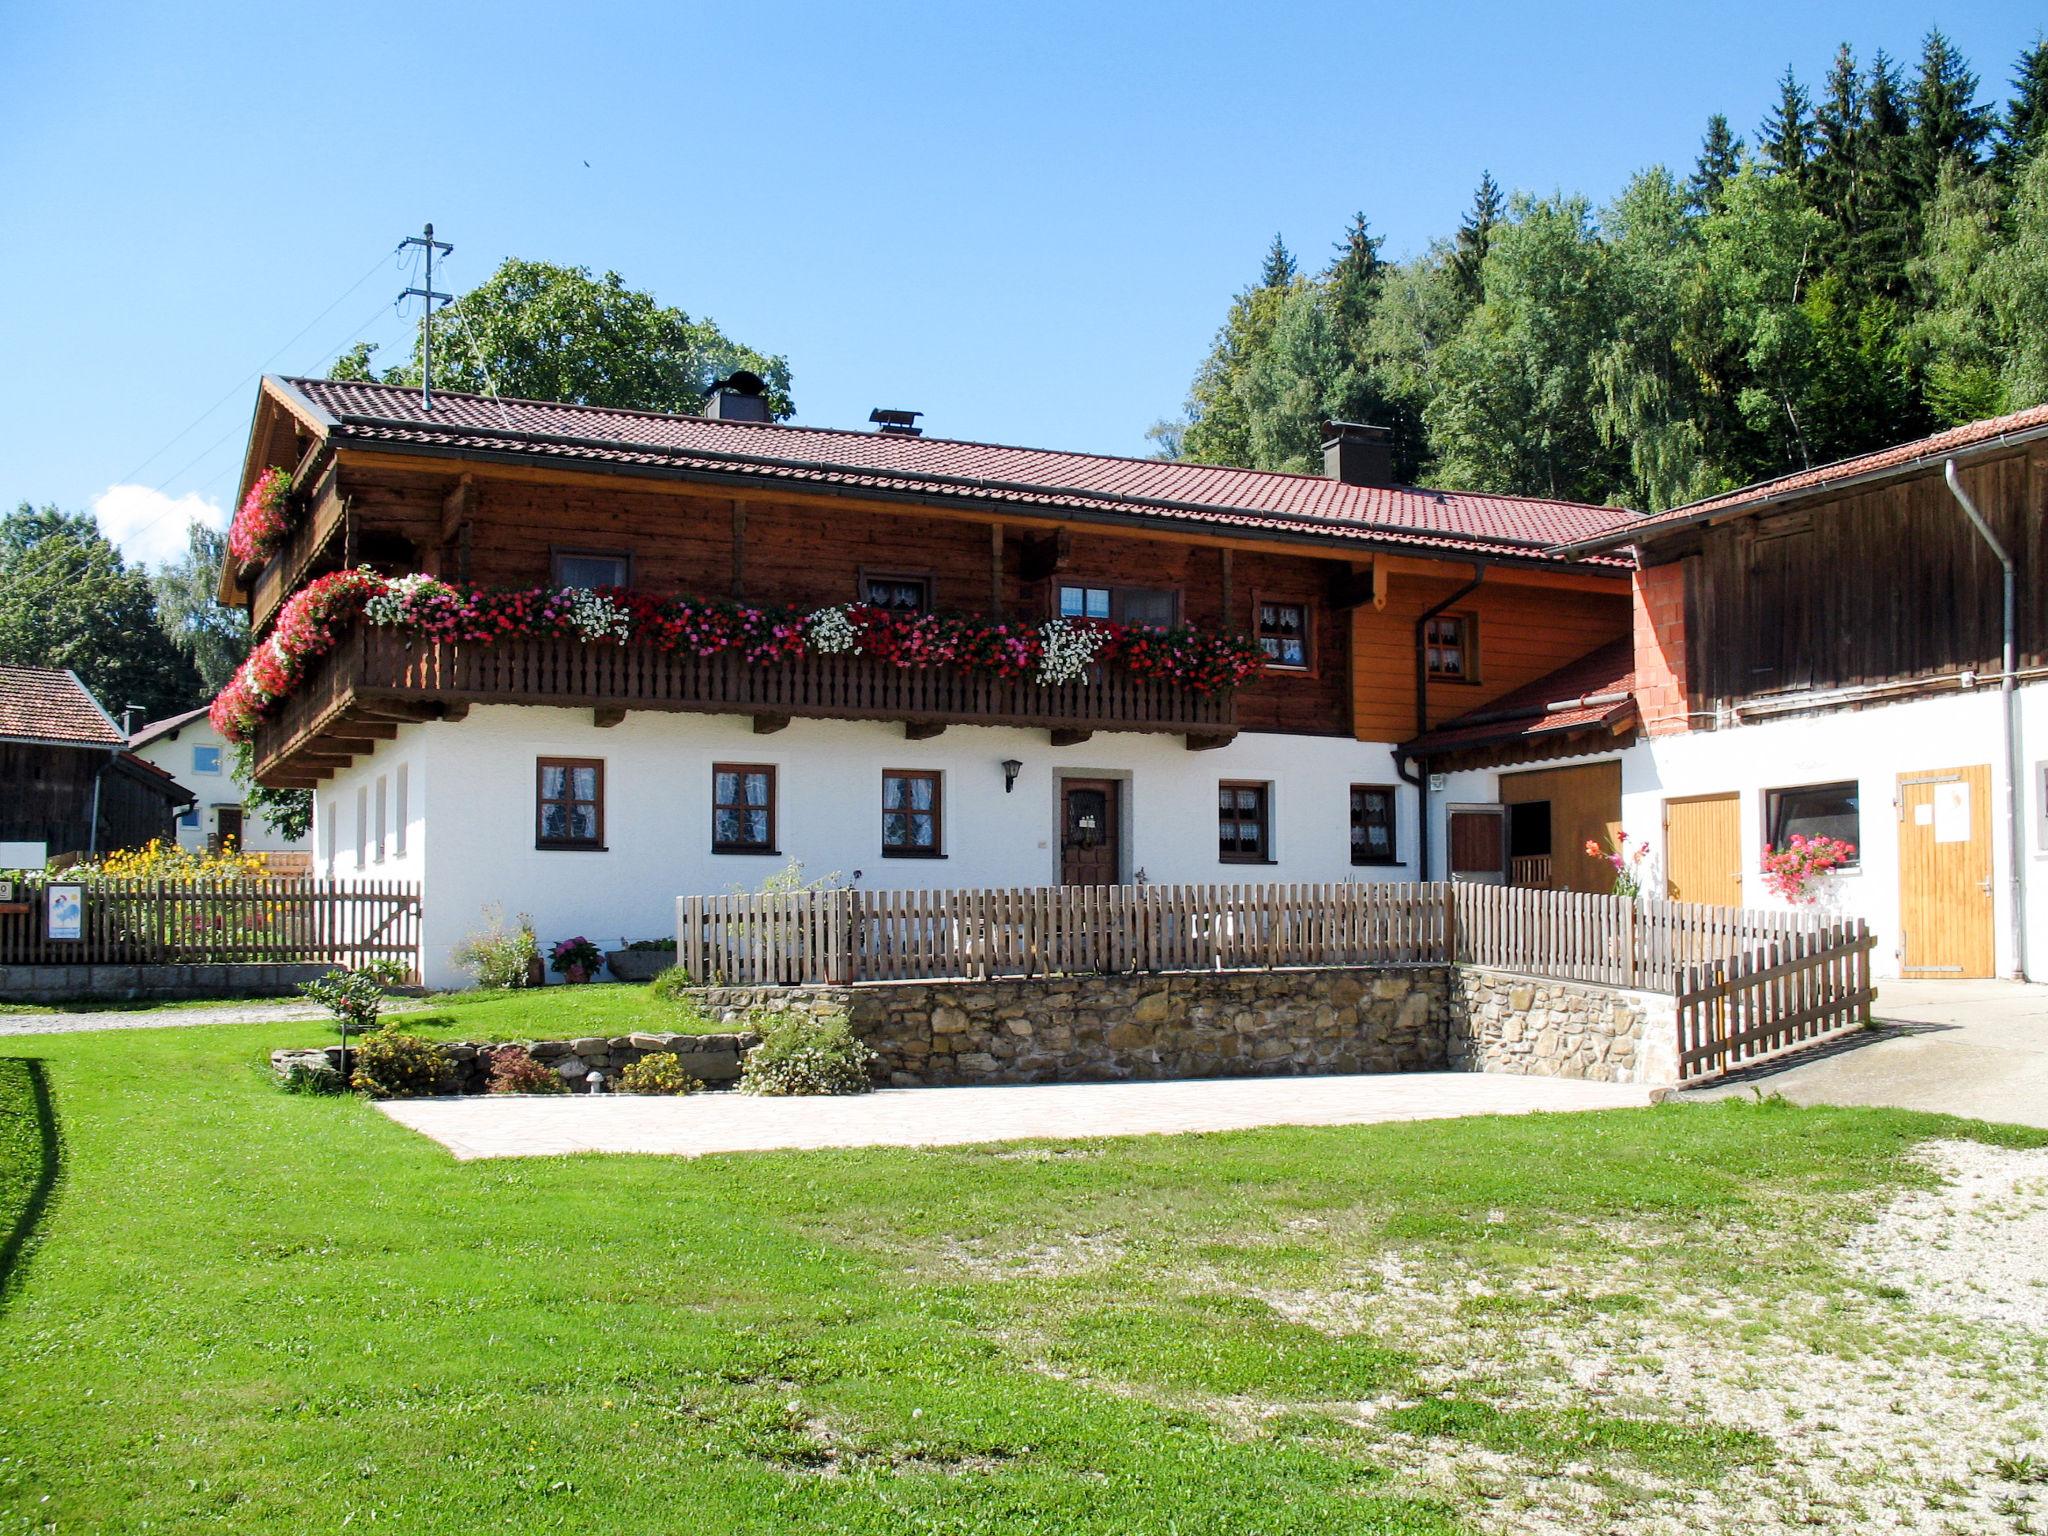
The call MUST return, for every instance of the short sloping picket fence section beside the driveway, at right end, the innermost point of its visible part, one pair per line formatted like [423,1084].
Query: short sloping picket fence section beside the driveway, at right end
[1787,994]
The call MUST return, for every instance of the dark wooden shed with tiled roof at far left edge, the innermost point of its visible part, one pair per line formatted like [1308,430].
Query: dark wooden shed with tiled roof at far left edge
[71,783]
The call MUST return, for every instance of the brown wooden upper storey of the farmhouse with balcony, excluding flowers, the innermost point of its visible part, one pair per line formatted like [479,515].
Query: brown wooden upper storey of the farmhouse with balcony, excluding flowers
[521,509]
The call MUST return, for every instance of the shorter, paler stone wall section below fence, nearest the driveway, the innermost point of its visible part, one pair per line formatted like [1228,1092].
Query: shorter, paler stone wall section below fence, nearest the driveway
[1562,1029]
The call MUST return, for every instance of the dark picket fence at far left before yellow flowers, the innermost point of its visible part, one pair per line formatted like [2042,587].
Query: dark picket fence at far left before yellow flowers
[234,923]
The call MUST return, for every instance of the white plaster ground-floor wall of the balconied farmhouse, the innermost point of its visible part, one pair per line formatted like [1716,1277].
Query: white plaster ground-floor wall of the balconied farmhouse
[472,800]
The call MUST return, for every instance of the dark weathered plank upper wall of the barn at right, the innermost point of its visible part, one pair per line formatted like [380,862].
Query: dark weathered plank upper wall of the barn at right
[1879,585]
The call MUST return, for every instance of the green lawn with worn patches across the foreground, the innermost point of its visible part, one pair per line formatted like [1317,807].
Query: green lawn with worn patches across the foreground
[263,1314]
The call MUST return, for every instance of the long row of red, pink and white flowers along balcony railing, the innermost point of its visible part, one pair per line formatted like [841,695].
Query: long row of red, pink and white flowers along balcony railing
[1056,652]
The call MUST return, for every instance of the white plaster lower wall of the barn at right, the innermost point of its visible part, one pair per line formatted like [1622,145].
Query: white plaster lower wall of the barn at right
[1873,746]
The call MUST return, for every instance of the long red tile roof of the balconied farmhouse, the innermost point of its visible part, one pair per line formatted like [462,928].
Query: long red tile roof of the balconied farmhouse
[988,472]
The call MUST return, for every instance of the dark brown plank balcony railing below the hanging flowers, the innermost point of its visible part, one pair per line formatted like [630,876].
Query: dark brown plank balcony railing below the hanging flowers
[376,679]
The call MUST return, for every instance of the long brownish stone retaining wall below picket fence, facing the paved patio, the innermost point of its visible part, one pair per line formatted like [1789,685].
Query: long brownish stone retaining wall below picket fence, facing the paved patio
[1170,1025]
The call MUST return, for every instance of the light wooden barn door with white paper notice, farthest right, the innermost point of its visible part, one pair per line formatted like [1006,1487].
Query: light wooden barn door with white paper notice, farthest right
[1945,873]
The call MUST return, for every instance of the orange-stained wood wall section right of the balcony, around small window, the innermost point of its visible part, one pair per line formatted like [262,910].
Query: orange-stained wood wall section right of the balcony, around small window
[1525,634]
